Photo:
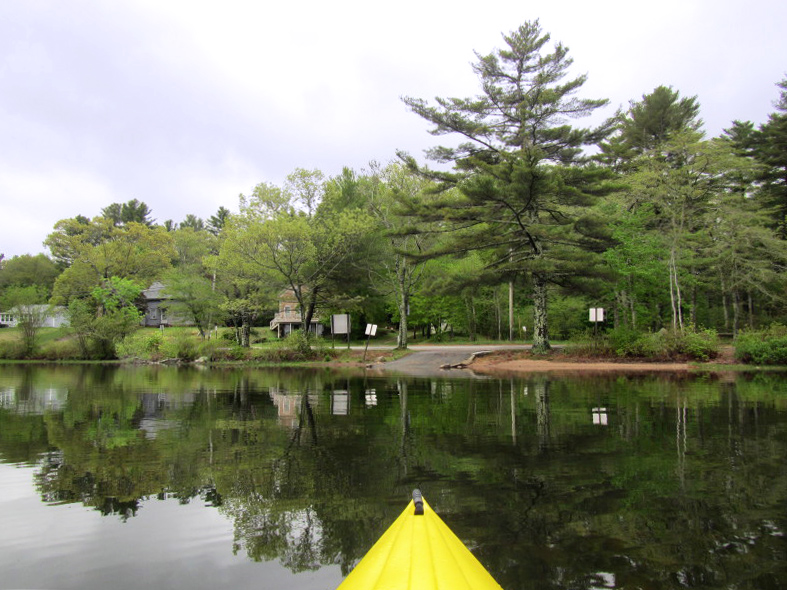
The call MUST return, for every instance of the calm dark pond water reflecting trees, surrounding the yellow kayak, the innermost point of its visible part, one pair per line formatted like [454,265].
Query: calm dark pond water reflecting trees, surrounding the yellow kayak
[172,478]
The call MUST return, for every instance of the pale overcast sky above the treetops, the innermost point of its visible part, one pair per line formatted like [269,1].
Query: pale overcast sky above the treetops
[186,104]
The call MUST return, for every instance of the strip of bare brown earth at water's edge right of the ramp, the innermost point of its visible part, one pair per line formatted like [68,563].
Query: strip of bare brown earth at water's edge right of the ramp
[508,362]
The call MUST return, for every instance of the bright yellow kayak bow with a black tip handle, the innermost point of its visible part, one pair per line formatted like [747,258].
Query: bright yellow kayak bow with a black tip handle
[419,552]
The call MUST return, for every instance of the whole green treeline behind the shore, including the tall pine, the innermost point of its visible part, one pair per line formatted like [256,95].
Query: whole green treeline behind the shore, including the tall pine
[522,220]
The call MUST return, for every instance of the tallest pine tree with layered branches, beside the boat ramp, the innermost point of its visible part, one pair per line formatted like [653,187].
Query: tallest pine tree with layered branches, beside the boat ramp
[524,179]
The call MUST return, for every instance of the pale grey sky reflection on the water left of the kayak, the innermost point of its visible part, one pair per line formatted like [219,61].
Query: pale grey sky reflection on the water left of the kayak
[167,545]
